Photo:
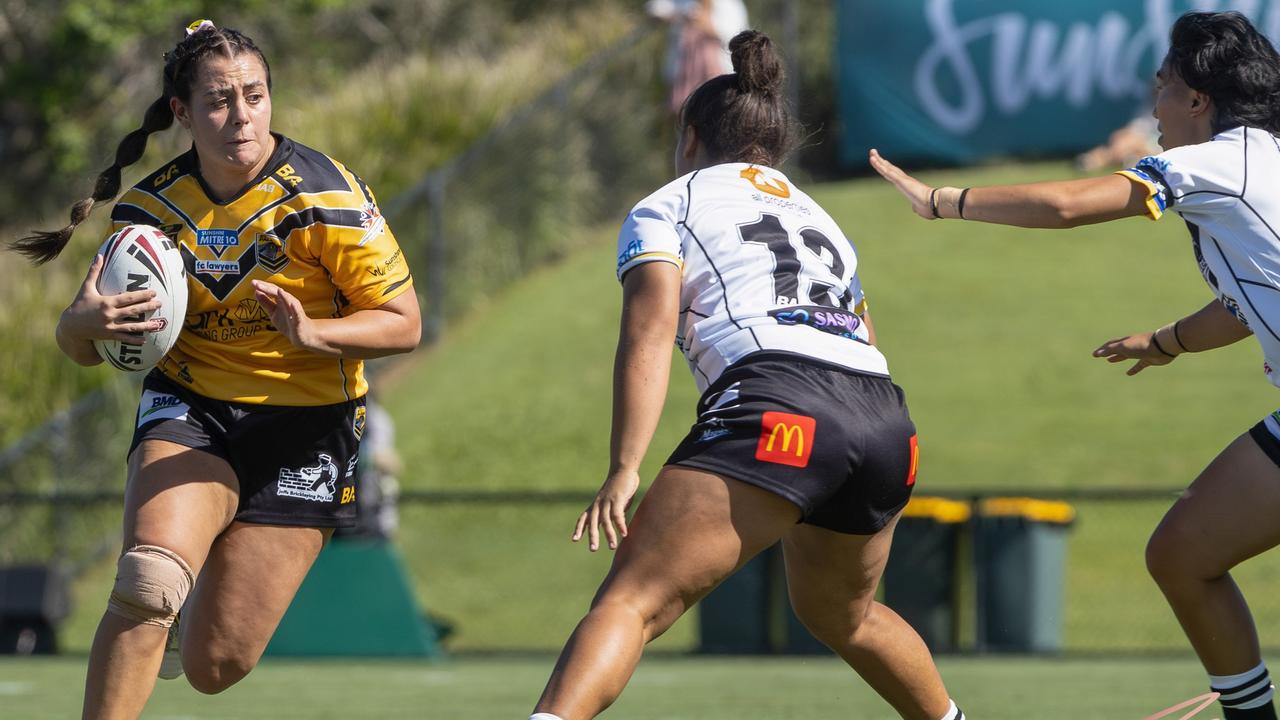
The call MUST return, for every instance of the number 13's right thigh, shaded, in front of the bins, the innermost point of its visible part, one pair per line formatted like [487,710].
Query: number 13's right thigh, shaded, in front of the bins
[833,577]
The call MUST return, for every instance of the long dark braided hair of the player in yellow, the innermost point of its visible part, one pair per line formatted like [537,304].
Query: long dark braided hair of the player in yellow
[181,66]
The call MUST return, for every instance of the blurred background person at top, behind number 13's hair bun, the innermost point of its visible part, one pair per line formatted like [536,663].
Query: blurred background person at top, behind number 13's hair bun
[698,44]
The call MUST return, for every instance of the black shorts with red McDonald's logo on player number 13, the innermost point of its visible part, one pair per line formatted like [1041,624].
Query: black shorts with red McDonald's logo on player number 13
[838,444]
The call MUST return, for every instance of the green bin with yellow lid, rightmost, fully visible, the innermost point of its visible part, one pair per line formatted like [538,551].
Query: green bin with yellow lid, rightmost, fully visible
[1021,552]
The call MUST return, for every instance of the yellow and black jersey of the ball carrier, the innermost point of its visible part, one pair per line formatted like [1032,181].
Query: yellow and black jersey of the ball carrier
[308,225]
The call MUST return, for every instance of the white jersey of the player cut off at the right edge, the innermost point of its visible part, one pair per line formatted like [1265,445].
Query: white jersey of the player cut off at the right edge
[1227,192]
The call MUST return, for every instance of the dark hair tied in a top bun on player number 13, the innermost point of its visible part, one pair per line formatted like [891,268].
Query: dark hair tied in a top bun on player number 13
[744,117]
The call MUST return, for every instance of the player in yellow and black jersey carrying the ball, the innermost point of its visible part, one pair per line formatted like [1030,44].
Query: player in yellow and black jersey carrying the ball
[246,439]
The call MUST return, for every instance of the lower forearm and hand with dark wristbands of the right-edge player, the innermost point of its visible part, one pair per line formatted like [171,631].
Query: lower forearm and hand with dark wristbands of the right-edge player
[1208,329]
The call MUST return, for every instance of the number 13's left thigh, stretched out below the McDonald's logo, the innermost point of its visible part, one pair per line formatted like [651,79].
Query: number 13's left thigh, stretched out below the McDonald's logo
[692,530]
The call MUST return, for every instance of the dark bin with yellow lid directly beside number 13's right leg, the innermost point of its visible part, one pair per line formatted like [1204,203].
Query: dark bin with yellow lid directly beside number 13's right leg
[921,578]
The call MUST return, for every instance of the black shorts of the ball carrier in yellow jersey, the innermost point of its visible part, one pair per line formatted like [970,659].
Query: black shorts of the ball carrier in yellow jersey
[296,466]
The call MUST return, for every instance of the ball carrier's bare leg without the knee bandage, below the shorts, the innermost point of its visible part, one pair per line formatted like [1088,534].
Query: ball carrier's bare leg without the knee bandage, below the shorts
[250,578]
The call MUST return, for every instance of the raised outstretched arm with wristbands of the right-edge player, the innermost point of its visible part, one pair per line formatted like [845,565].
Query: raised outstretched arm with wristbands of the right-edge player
[1059,204]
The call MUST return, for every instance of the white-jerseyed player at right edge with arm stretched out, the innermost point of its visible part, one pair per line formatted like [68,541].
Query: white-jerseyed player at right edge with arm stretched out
[1218,103]
